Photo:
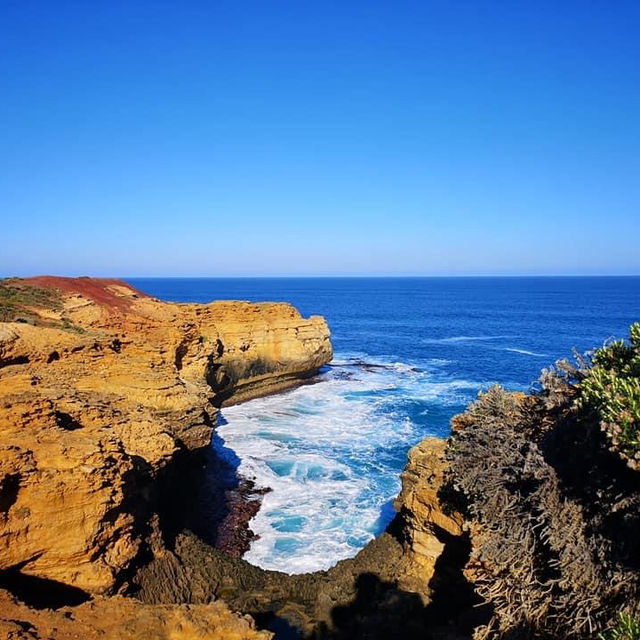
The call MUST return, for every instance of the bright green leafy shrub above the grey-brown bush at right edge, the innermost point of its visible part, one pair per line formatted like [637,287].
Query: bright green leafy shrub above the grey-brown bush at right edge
[612,390]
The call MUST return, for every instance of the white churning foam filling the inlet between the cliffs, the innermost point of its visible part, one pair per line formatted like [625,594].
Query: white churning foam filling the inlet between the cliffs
[331,453]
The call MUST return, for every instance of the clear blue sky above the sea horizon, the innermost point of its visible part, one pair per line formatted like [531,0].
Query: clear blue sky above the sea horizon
[292,138]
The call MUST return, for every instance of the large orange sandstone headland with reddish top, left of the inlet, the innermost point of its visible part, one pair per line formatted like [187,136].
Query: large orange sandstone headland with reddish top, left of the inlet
[101,389]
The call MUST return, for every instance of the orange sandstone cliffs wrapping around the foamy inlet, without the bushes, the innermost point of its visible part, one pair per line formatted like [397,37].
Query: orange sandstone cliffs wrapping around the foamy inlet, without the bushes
[108,403]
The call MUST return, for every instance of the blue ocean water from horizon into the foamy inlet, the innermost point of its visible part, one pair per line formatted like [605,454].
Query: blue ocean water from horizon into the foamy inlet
[409,354]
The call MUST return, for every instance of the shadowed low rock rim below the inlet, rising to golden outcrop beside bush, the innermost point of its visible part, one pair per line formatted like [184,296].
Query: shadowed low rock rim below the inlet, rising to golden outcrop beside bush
[388,590]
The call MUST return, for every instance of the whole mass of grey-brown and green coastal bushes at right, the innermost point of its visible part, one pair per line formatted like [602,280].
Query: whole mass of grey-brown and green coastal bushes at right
[549,486]
